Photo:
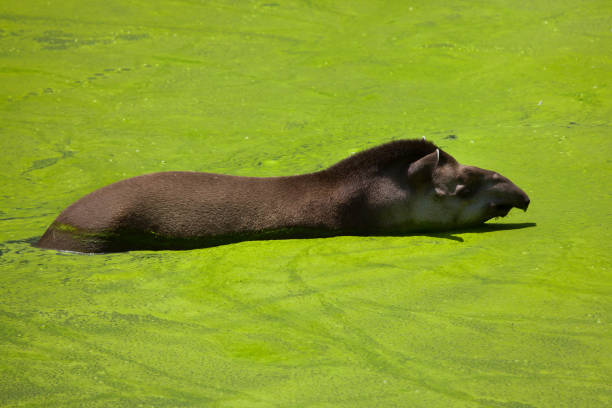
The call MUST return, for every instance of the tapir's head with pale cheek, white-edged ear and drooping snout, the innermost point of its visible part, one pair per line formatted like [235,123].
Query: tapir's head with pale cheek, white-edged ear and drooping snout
[446,194]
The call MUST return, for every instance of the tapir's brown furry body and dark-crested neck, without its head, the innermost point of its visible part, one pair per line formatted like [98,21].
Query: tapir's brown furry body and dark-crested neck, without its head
[183,210]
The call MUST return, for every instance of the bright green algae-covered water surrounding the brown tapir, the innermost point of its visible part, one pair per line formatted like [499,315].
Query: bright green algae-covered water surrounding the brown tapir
[94,92]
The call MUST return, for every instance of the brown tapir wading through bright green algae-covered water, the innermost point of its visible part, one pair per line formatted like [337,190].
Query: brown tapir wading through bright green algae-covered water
[399,187]
